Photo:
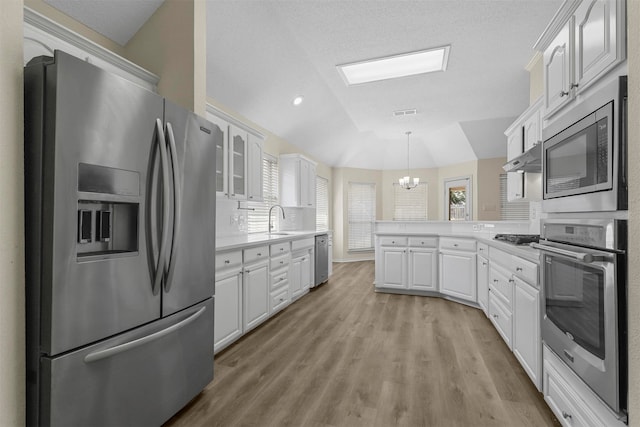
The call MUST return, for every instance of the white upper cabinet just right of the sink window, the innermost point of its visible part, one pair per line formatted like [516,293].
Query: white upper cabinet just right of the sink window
[297,181]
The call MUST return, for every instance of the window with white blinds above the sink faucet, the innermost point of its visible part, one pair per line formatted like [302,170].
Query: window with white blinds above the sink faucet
[258,218]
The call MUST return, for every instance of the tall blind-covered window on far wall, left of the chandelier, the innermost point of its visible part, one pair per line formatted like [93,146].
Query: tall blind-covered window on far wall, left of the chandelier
[362,215]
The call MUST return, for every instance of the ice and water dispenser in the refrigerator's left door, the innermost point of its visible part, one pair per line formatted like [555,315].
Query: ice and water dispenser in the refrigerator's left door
[107,211]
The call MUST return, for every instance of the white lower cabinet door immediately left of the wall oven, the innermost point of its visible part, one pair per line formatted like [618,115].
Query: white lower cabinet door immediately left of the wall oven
[526,330]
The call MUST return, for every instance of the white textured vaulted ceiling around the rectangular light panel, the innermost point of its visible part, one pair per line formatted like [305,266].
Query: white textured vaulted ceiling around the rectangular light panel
[262,53]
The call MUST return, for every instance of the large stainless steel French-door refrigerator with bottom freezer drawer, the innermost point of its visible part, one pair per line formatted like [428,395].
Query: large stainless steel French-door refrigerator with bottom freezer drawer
[120,223]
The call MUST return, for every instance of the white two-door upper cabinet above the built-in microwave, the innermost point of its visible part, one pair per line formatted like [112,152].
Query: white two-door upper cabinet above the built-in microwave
[584,41]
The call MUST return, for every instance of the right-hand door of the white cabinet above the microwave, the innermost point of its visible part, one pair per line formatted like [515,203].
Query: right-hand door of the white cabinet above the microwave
[596,37]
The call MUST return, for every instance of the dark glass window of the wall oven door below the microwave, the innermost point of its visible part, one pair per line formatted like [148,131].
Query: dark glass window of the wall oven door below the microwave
[575,301]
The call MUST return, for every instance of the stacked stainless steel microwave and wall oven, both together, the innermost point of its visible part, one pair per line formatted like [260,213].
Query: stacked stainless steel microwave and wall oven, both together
[583,242]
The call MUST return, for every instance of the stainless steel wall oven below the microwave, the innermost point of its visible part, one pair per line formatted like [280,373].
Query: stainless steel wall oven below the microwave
[583,274]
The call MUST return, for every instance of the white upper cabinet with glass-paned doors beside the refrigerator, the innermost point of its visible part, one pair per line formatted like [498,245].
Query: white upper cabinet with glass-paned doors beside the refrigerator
[238,160]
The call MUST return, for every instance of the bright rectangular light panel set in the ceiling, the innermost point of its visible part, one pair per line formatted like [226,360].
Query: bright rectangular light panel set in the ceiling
[391,67]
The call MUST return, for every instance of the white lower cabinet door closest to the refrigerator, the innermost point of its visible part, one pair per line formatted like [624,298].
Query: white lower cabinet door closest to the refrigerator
[228,311]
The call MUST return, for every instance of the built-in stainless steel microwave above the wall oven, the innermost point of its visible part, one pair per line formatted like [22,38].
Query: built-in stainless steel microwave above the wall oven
[584,156]
